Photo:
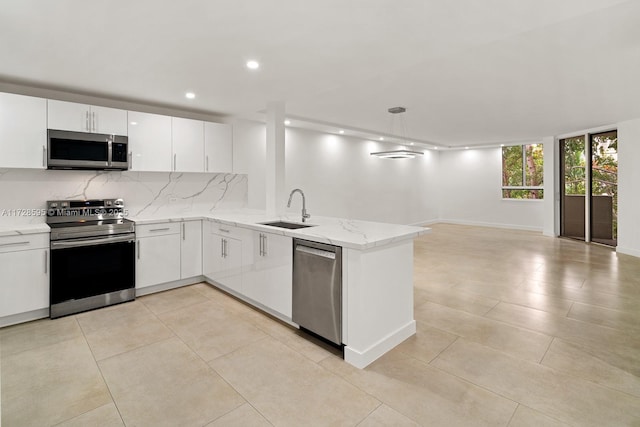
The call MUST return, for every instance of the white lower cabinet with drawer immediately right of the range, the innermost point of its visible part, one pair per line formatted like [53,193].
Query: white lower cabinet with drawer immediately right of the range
[157,254]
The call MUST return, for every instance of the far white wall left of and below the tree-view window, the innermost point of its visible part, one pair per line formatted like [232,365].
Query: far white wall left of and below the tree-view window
[471,192]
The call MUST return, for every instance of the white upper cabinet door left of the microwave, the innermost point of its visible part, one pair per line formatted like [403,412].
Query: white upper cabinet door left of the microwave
[23,131]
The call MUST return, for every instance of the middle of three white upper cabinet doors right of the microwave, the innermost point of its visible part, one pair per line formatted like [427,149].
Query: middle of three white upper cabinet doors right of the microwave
[188,145]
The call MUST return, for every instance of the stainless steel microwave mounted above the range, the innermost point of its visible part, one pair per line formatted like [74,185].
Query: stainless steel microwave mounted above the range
[81,150]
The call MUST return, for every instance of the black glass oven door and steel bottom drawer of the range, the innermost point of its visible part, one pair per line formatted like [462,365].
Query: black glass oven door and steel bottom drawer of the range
[91,273]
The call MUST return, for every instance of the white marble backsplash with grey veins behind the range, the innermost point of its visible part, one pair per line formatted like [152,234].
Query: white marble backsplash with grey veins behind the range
[24,192]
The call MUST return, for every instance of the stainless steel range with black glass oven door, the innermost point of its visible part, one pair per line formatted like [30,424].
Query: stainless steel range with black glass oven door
[92,255]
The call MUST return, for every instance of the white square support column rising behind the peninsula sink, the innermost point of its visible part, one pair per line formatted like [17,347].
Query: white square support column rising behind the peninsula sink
[274,170]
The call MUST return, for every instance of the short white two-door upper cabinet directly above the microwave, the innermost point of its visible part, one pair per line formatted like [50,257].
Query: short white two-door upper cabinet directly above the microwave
[86,118]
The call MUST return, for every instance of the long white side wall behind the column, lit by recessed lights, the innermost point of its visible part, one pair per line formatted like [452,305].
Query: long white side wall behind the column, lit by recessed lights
[339,176]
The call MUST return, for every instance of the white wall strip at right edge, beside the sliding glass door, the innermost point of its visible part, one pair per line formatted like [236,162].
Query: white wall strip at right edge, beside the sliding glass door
[628,187]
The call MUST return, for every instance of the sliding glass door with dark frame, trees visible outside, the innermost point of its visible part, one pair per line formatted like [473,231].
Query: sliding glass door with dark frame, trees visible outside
[589,188]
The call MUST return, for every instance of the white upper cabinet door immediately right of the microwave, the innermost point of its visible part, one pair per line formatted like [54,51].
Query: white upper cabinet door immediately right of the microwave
[150,142]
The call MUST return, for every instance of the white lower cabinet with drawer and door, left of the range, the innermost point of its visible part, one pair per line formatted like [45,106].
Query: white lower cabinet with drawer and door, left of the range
[24,268]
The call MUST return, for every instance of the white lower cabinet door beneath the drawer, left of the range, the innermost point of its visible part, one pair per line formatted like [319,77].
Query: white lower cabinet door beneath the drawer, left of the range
[25,281]
